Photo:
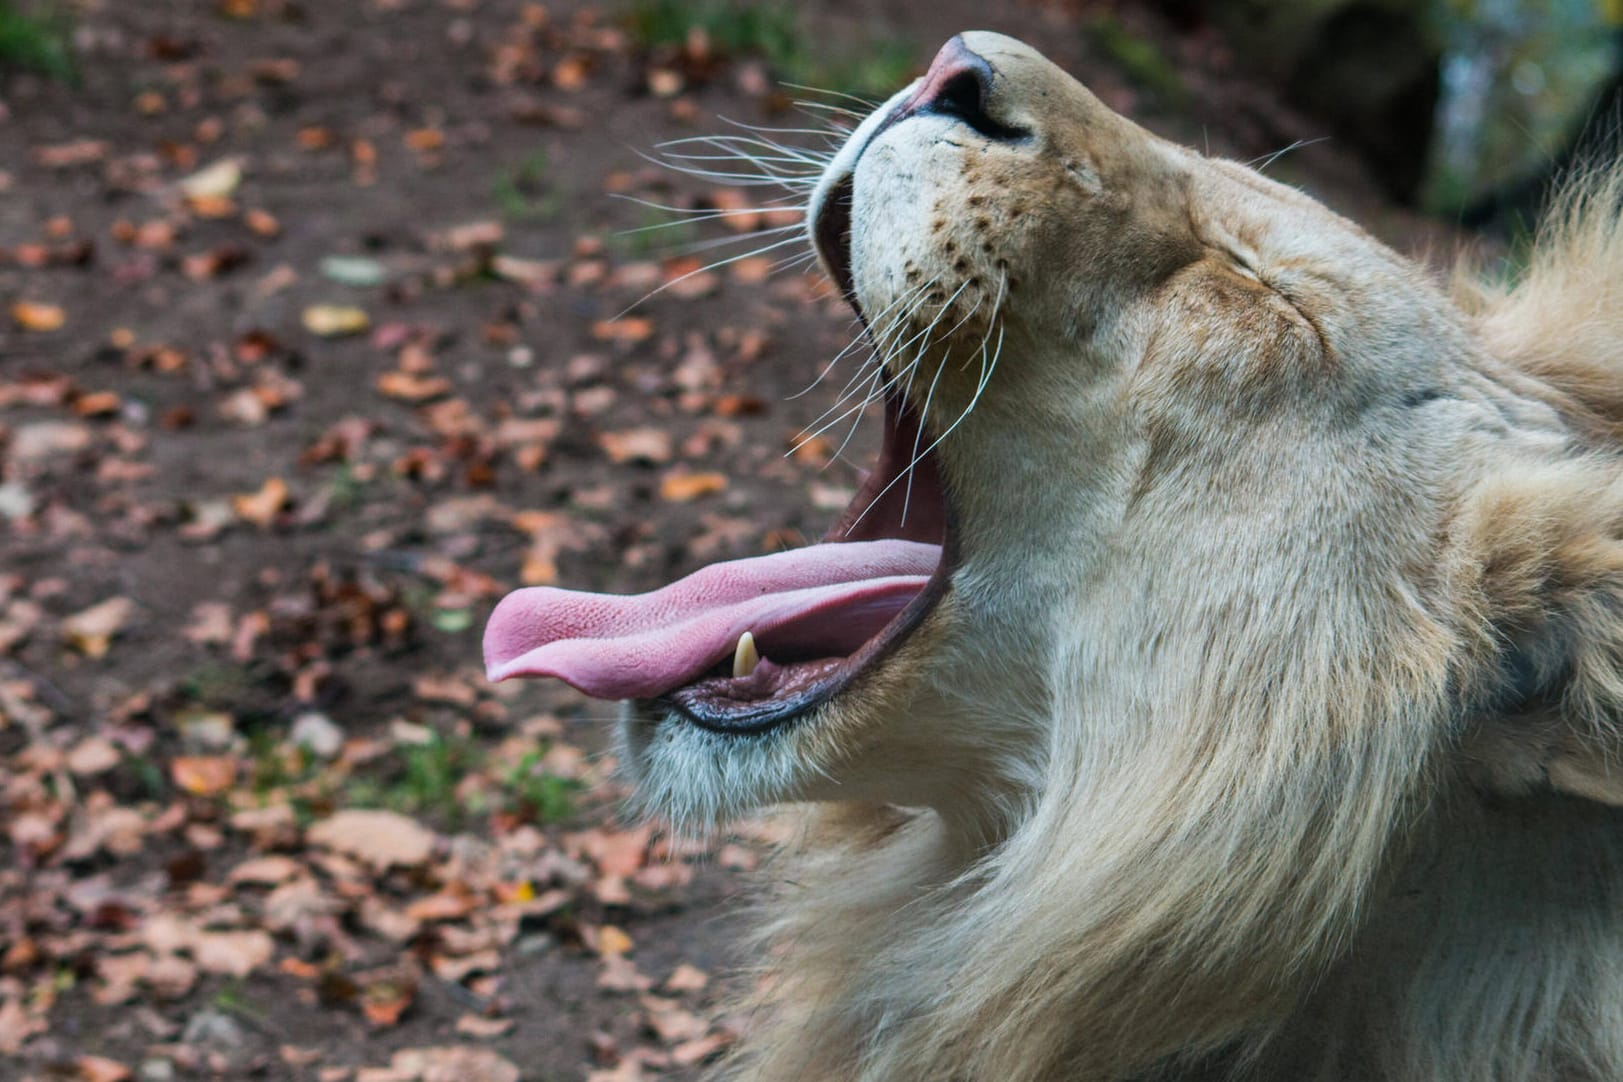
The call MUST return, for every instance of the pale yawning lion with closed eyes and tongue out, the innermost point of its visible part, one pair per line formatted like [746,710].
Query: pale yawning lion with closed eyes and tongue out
[1218,677]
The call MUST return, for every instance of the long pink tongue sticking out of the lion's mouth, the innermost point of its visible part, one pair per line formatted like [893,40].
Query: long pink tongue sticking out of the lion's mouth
[824,601]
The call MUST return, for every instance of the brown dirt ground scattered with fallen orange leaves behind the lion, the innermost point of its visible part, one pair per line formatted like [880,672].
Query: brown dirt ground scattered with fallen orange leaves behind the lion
[309,353]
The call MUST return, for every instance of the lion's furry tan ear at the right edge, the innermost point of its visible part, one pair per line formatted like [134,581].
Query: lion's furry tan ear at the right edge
[1539,552]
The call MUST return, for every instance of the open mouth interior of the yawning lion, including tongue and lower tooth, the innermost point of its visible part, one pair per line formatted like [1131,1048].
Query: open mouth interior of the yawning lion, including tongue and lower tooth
[819,616]
